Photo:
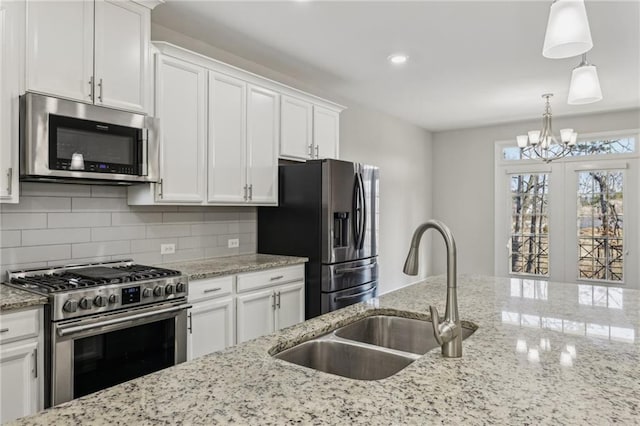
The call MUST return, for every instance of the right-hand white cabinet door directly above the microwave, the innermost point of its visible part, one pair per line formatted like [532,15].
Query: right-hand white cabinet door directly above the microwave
[121,54]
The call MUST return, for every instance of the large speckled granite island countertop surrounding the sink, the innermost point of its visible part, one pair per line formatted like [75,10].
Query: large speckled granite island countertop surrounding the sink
[543,353]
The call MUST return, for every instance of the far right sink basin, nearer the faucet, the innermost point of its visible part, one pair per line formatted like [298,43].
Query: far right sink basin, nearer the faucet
[402,334]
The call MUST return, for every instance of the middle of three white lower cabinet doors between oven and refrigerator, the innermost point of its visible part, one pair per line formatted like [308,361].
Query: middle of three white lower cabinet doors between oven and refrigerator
[255,315]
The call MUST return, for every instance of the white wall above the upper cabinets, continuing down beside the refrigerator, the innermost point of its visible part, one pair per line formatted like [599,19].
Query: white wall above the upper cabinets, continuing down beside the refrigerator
[401,150]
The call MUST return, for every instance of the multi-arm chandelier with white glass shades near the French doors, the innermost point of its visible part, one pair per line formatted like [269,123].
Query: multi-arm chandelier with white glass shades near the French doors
[542,143]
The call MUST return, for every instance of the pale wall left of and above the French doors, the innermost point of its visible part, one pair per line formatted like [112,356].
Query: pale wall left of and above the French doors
[463,182]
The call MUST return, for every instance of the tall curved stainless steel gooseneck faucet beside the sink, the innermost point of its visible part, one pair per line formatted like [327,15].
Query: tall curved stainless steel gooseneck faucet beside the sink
[449,333]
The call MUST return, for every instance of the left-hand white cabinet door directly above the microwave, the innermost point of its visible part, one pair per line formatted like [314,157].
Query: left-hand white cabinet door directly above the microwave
[60,48]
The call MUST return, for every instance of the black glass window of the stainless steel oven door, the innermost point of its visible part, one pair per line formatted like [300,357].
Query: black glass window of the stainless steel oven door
[115,357]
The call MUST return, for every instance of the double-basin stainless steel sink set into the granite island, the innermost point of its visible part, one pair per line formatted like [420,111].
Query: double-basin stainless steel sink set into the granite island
[372,348]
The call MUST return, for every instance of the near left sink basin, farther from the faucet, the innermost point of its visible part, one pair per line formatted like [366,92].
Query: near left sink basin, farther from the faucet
[346,359]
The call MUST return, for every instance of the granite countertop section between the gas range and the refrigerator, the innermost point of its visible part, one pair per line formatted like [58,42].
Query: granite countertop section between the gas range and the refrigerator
[218,266]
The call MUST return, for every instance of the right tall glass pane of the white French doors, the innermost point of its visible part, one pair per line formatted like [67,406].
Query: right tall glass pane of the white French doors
[600,225]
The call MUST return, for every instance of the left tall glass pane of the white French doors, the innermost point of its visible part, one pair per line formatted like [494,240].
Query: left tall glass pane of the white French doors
[529,253]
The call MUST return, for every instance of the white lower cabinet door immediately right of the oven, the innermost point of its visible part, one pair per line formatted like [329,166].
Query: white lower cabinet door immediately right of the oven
[211,327]
